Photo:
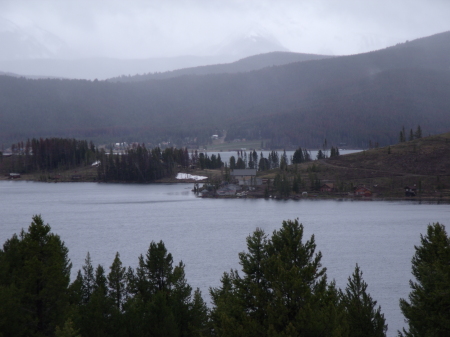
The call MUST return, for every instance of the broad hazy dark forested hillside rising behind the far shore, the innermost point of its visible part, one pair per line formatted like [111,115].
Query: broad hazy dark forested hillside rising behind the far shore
[349,99]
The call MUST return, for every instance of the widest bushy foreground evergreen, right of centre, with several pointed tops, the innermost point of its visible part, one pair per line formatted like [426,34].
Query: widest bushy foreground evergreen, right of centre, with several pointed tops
[283,290]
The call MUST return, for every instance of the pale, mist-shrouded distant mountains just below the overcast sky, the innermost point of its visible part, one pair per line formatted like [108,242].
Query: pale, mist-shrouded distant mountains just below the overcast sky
[34,52]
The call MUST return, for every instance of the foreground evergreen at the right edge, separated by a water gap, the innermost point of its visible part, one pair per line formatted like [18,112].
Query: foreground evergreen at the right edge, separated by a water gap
[428,310]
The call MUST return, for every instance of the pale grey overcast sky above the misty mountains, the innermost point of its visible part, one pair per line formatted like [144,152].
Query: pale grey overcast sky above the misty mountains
[148,28]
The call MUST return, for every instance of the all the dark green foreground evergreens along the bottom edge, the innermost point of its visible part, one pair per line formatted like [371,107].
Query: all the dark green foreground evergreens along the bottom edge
[282,290]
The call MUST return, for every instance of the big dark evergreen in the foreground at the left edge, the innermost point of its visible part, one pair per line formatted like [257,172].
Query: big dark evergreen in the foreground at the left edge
[34,276]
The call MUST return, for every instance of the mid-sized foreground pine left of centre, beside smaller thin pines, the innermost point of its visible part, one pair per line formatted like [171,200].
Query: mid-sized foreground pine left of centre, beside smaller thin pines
[161,302]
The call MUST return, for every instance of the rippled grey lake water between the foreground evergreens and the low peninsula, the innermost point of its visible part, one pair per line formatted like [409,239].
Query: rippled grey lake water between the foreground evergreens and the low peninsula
[208,234]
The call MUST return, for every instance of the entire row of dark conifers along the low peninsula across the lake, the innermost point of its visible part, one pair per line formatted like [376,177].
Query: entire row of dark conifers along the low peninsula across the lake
[135,163]
